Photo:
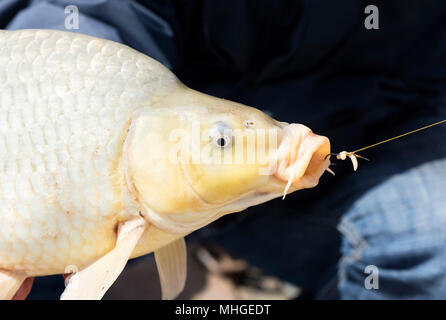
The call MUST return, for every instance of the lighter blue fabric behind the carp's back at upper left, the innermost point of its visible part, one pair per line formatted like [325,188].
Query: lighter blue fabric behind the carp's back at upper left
[118,20]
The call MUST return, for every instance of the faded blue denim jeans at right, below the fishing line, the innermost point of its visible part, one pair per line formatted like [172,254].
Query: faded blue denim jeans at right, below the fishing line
[398,226]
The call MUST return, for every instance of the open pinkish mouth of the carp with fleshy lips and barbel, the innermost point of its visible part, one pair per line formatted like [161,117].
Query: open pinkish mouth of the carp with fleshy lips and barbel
[301,158]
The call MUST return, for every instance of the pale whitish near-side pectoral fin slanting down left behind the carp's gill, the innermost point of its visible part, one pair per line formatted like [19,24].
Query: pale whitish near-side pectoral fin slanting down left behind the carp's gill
[93,282]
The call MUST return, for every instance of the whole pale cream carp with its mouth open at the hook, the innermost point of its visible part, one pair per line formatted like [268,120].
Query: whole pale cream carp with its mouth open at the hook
[87,129]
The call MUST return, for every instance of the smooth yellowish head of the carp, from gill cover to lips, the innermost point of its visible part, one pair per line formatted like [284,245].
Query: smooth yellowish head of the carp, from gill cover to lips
[192,158]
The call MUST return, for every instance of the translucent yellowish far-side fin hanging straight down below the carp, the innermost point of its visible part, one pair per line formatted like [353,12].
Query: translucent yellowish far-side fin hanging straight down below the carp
[172,268]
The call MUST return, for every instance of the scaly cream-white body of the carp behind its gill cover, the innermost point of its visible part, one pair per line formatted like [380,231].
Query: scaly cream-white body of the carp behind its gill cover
[66,101]
